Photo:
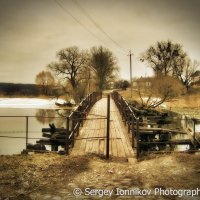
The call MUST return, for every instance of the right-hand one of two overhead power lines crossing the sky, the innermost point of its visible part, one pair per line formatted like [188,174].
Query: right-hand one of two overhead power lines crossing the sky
[97,25]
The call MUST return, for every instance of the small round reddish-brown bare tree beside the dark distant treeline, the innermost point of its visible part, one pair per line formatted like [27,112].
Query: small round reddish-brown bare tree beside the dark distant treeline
[45,81]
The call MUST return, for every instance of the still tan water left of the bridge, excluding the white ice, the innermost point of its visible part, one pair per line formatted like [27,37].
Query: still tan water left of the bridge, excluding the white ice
[15,127]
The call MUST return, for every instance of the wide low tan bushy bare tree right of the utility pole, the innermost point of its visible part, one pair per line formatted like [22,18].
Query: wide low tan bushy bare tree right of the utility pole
[161,89]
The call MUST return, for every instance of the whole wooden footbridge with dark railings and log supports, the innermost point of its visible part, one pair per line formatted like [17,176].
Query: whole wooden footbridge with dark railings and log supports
[94,136]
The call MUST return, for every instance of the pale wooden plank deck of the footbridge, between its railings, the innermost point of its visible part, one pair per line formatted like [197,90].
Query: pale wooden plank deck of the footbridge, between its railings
[92,134]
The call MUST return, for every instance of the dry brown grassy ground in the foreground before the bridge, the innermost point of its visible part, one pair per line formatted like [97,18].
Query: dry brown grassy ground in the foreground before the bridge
[51,176]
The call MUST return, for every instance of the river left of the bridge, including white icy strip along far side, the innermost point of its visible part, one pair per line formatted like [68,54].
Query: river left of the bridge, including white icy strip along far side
[16,126]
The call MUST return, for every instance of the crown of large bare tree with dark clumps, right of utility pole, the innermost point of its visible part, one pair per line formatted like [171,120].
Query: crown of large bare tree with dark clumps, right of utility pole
[169,59]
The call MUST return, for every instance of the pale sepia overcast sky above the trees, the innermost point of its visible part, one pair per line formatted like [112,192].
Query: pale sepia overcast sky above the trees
[32,31]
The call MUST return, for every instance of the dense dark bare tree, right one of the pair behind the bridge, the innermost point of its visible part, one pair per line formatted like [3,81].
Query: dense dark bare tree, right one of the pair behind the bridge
[104,63]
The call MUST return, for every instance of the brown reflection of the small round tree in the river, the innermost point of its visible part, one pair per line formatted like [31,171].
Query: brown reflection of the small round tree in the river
[45,116]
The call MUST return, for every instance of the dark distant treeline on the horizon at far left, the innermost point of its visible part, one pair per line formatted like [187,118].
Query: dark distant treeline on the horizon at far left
[11,89]
